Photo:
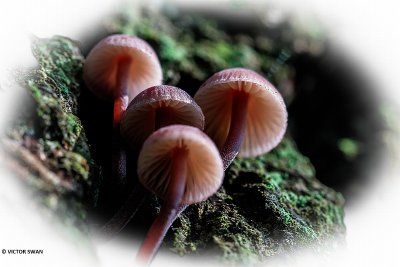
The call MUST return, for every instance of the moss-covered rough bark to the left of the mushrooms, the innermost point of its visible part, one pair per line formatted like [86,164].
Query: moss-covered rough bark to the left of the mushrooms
[54,133]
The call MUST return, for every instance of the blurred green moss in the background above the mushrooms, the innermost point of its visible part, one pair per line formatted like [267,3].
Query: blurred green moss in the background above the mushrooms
[202,50]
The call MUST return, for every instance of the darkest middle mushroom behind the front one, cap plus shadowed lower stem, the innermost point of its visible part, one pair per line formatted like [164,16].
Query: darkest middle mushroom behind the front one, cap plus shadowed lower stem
[152,109]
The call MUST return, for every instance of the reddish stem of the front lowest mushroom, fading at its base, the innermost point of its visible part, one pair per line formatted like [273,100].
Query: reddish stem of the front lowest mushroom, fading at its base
[170,209]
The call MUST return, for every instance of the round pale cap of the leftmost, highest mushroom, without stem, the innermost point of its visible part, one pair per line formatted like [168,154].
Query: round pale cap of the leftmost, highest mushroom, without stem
[101,66]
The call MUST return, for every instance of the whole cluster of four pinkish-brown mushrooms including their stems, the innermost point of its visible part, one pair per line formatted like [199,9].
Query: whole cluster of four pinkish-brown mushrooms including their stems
[243,115]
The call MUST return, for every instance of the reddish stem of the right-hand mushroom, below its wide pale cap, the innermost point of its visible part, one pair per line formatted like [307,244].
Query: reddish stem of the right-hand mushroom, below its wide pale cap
[237,128]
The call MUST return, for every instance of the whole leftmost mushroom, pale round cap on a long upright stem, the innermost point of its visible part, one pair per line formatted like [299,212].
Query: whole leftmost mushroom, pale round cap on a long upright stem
[118,68]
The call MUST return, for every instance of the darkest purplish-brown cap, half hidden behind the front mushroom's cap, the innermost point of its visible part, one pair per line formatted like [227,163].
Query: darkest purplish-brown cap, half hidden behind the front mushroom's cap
[177,106]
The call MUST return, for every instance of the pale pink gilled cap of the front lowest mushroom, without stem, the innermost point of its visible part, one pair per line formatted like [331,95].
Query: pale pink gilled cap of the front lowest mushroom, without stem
[204,164]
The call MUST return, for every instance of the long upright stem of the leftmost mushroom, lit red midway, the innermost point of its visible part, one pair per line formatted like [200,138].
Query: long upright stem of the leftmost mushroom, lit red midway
[121,102]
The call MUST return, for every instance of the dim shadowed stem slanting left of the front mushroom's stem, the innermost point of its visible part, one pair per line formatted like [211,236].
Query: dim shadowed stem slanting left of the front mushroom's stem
[125,213]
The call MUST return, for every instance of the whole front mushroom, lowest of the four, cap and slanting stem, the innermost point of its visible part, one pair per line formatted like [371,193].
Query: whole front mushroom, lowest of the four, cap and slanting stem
[181,165]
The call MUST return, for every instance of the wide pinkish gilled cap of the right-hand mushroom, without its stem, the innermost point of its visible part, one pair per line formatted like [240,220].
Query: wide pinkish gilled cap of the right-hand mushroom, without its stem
[266,118]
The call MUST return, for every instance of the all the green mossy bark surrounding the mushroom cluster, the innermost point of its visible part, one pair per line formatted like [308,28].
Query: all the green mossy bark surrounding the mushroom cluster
[267,206]
